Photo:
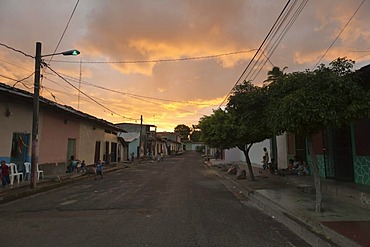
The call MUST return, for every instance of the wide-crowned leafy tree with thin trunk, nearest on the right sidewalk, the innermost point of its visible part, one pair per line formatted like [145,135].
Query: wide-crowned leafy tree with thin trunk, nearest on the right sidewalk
[308,102]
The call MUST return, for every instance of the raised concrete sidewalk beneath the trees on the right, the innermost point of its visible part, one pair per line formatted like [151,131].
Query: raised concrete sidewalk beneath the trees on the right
[345,216]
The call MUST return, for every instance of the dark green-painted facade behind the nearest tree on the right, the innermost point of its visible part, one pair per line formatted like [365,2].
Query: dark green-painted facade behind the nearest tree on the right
[342,154]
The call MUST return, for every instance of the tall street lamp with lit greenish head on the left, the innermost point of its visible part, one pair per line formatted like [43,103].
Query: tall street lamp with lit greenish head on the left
[36,100]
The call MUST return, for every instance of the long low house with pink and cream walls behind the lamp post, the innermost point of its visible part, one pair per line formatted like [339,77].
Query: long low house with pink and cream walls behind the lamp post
[63,132]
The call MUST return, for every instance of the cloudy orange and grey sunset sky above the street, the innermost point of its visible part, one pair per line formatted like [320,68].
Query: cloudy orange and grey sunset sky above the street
[171,61]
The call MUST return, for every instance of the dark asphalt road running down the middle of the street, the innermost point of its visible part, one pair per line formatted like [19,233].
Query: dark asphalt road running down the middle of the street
[177,202]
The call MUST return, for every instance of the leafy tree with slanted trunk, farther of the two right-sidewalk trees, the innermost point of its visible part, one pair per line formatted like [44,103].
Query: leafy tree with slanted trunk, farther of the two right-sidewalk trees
[242,124]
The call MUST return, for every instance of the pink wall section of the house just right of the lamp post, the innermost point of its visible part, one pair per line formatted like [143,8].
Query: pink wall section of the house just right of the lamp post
[54,135]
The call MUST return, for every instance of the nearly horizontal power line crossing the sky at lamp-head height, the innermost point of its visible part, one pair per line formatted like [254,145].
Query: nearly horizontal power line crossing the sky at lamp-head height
[161,60]
